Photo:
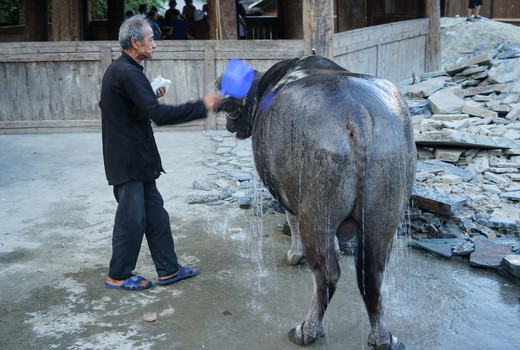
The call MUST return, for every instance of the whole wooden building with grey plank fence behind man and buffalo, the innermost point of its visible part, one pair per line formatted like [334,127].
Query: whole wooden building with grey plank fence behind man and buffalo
[65,73]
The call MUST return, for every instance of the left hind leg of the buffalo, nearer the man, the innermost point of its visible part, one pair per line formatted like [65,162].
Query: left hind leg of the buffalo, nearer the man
[320,252]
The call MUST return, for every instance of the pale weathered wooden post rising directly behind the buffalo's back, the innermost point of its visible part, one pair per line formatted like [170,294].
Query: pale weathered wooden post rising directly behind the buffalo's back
[318,26]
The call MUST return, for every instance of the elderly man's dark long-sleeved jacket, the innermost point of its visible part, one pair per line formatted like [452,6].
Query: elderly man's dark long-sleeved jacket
[128,104]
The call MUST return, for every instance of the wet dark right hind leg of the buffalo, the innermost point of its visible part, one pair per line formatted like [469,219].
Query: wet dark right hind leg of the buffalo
[374,247]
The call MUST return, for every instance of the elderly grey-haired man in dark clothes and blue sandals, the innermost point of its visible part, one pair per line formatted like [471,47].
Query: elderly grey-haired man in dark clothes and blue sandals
[132,161]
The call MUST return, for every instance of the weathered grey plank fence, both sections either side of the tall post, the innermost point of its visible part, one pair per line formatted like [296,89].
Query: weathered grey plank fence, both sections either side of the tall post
[55,86]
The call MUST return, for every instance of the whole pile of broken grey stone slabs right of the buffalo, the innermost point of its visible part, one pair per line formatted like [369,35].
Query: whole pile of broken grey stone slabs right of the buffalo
[466,121]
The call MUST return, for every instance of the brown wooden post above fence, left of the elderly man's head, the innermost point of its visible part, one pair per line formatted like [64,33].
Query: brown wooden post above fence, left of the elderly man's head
[66,20]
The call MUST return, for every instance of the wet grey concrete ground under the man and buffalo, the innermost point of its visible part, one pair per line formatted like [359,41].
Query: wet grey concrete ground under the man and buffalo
[56,214]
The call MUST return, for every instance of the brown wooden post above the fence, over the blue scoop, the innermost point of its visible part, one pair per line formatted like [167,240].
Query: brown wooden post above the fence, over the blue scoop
[222,20]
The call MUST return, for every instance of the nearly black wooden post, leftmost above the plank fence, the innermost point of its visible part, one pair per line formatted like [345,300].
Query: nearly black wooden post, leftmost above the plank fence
[36,21]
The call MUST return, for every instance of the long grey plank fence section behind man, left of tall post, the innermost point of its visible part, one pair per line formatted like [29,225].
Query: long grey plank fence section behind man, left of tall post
[55,86]
